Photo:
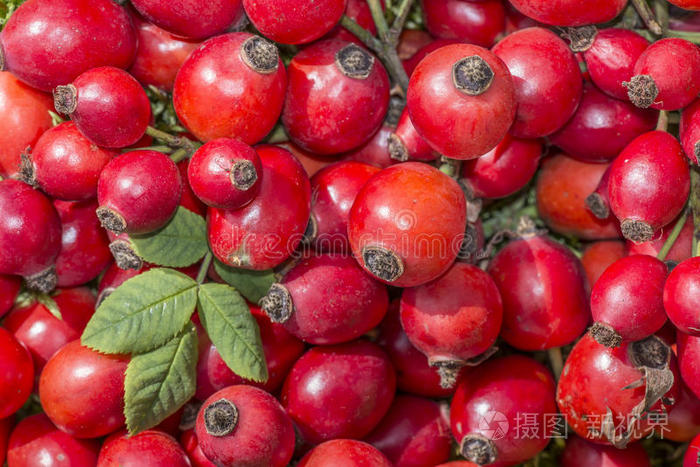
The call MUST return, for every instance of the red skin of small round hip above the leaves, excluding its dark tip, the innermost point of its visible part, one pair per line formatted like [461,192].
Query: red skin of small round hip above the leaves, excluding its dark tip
[209,173]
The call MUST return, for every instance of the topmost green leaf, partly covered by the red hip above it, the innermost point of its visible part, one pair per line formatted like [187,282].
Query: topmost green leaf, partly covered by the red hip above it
[182,242]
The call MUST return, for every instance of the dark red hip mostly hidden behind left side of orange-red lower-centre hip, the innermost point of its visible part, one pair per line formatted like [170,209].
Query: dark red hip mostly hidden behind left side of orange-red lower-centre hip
[413,373]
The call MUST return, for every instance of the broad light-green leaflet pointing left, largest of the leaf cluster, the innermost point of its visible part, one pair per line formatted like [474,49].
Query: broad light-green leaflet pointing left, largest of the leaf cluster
[143,313]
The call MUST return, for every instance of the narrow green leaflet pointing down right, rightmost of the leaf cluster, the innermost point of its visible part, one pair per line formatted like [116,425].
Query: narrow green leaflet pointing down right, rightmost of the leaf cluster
[233,330]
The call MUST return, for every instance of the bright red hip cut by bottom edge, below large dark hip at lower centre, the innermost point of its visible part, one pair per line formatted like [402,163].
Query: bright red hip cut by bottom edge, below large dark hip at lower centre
[344,453]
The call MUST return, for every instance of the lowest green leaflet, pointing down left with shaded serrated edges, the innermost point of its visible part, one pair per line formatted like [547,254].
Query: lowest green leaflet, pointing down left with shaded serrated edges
[161,381]
